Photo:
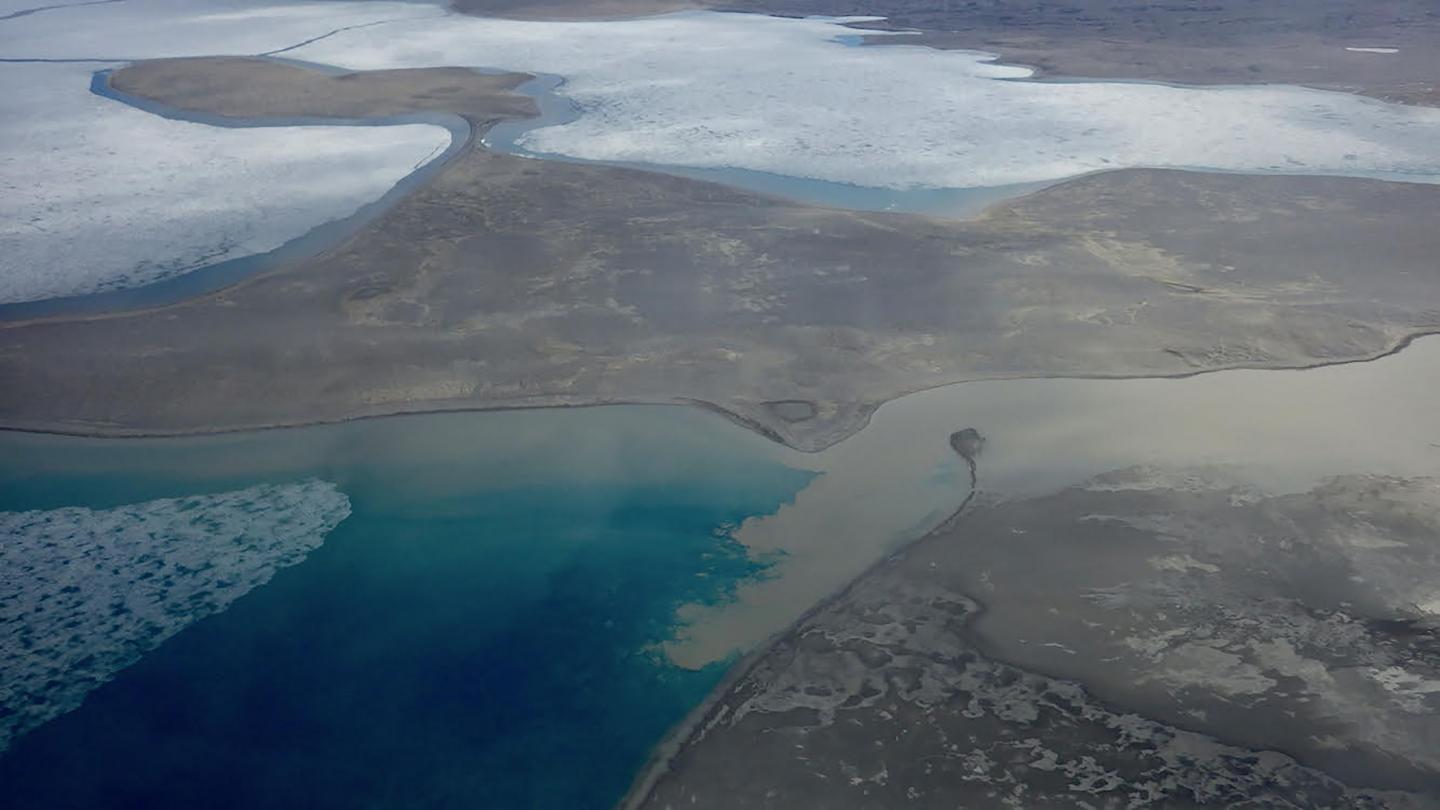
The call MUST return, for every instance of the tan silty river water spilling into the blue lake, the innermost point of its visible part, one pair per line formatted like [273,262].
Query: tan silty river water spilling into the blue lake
[898,479]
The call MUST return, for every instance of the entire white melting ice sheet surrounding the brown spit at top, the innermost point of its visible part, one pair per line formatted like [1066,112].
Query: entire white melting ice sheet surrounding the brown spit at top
[99,197]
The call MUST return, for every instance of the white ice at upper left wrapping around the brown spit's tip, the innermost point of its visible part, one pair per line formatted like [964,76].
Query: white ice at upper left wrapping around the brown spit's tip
[96,195]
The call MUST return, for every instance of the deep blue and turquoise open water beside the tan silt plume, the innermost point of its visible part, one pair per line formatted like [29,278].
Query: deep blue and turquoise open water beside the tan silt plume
[479,633]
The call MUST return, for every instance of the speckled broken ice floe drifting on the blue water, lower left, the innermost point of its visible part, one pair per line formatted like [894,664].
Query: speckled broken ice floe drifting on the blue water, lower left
[84,593]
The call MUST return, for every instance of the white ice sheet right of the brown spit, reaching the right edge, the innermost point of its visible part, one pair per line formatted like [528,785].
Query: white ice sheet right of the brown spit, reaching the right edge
[790,97]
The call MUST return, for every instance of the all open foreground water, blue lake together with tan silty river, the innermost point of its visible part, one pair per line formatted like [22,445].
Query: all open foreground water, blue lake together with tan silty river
[541,564]
